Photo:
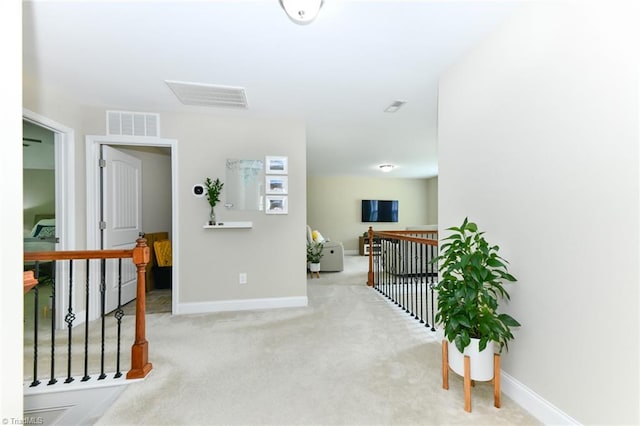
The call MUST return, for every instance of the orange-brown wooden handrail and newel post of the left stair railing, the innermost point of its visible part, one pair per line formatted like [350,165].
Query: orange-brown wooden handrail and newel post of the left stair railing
[140,365]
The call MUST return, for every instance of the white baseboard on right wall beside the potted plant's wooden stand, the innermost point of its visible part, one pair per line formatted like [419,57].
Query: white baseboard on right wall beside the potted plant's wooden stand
[537,406]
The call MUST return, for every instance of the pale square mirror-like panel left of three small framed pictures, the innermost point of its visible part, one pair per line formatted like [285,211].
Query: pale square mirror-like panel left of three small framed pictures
[244,184]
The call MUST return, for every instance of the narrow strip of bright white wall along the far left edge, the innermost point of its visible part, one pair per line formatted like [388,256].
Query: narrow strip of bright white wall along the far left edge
[11,212]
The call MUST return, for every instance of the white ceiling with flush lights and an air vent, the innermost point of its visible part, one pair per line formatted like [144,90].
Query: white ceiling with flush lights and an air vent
[339,73]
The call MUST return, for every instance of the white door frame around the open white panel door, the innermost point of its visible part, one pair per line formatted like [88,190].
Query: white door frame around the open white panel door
[92,145]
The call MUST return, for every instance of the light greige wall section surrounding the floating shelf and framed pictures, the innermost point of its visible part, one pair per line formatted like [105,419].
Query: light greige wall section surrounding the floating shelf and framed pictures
[273,252]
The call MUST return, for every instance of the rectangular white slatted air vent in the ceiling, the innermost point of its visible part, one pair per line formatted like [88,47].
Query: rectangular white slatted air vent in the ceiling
[208,94]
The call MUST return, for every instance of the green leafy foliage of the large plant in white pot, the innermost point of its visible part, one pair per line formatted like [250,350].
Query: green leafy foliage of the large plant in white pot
[470,287]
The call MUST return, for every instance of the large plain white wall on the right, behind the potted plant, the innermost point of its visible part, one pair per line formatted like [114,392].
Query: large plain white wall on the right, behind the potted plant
[538,143]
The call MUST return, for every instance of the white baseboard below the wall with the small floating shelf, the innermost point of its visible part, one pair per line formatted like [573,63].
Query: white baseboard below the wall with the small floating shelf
[241,305]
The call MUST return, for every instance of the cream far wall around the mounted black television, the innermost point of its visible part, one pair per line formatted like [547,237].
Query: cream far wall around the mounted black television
[333,204]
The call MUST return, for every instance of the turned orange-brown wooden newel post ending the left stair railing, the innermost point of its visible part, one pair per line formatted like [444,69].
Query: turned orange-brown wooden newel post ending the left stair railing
[140,365]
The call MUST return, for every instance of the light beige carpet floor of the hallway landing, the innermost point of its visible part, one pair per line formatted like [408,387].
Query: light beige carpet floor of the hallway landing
[349,358]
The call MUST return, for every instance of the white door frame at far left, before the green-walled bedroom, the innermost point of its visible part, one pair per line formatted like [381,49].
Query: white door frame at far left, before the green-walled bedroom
[64,138]
